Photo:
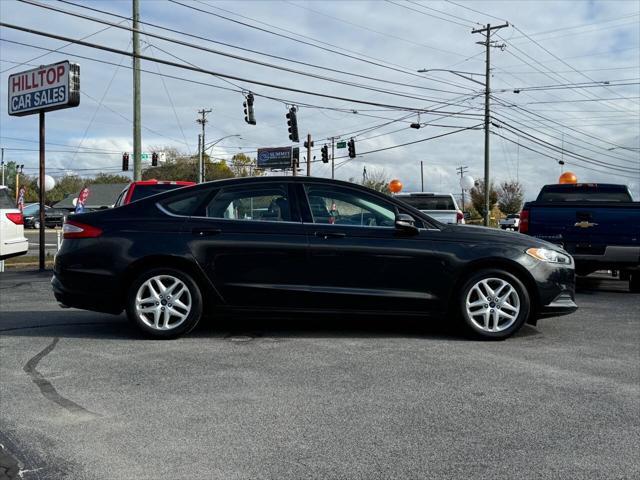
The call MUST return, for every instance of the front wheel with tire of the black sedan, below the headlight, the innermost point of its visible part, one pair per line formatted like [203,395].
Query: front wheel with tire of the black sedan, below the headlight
[493,304]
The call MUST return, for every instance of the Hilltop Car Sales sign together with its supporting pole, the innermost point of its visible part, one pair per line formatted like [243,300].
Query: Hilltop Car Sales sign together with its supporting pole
[40,90]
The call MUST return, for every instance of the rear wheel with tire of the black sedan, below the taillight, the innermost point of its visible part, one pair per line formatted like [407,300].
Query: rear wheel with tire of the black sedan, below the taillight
[164,303]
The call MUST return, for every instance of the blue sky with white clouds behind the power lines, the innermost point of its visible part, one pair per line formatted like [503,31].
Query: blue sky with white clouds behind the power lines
[368,54]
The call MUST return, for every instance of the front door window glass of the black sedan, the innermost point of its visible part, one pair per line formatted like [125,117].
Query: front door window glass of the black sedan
[343,206]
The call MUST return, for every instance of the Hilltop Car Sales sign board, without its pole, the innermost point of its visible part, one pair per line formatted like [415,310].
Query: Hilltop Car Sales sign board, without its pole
[46,88]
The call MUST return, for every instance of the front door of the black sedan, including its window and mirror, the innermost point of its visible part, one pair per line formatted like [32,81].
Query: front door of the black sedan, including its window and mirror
[359,260]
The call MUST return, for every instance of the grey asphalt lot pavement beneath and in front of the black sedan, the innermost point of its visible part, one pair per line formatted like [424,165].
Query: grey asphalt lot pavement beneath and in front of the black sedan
[83,396]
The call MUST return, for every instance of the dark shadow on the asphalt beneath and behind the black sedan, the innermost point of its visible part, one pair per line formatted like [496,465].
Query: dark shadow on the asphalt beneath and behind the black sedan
[80,324]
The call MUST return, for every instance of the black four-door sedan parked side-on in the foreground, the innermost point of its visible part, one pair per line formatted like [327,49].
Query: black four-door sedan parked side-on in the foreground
[302,244]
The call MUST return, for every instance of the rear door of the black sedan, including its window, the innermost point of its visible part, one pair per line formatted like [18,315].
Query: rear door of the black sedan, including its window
[251,243]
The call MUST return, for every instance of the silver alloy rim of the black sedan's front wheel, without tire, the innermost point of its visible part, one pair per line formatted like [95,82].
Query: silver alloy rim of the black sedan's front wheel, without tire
[492,305]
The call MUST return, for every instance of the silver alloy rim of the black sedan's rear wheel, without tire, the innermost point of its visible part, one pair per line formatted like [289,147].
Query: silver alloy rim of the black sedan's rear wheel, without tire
[163,302]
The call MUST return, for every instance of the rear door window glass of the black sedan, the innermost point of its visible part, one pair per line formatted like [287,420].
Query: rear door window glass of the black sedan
[252,202]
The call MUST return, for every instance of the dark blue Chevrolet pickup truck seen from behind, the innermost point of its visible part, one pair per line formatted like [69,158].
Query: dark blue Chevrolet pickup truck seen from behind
[597,223]
